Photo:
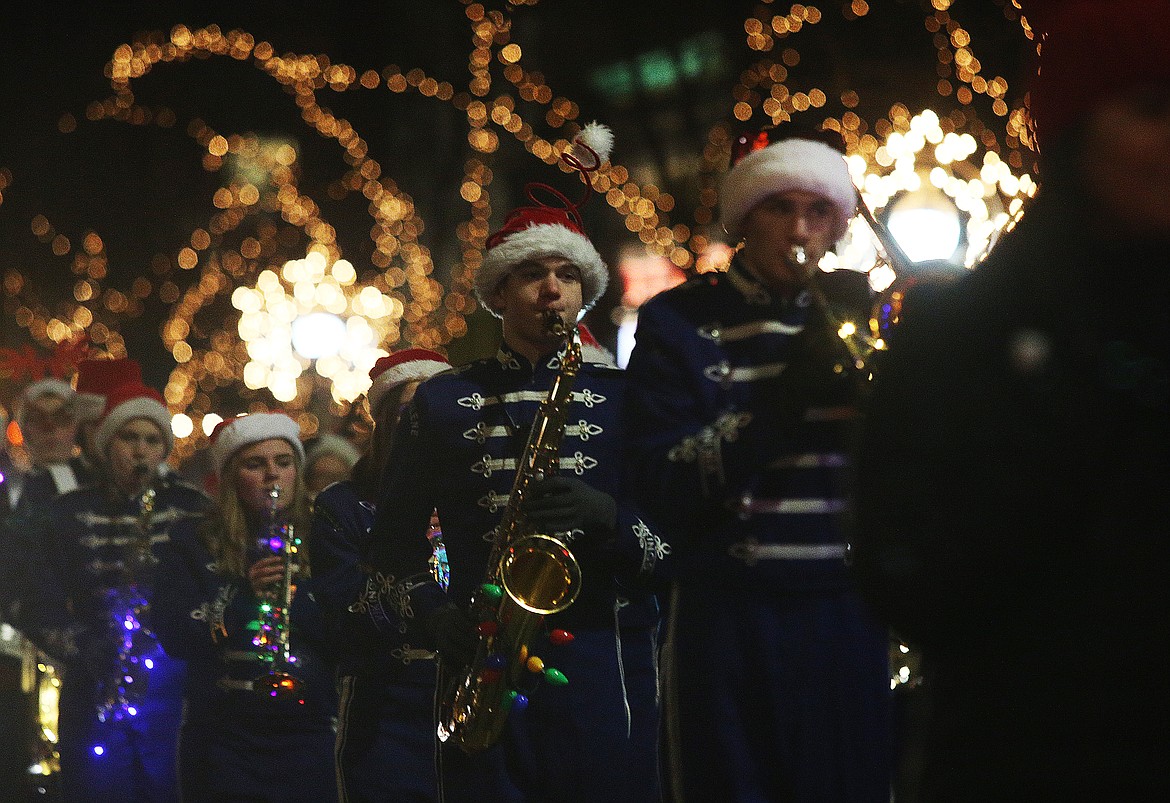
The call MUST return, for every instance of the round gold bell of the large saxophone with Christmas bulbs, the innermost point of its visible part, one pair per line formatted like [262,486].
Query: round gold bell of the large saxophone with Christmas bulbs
[540,574]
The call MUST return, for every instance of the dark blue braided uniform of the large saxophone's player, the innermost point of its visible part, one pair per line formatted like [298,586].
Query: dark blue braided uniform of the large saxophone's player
[457,451]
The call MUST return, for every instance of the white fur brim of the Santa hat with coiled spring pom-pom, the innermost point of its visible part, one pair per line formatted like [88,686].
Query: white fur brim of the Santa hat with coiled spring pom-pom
[534,243]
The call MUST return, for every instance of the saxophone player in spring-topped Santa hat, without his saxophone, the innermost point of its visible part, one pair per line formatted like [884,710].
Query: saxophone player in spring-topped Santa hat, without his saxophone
[457,451]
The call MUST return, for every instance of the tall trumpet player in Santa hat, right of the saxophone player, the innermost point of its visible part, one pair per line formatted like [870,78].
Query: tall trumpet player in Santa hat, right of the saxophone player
[740,407]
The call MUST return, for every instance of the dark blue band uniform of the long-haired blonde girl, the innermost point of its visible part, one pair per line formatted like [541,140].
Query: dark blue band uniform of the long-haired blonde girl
[237,743]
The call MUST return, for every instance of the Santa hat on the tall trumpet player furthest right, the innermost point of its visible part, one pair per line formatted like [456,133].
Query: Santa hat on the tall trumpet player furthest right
[776,164]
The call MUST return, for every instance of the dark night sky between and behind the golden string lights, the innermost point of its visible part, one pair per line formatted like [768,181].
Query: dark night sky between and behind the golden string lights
[144,191]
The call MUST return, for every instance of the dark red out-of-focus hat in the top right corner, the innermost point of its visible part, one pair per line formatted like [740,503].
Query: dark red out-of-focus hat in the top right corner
[1091,51]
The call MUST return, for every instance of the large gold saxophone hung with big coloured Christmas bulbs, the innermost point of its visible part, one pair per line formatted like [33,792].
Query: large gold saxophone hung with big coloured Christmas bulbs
[529,576]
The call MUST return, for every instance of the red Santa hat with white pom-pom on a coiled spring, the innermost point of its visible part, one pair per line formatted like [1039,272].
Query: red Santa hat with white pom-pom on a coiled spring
[533,232]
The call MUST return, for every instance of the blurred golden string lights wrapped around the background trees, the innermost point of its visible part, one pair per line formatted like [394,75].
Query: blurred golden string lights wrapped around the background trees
[240,269]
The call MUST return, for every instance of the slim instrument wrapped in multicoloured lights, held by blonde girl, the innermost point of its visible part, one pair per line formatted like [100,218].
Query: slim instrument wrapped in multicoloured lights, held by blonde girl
[272,639]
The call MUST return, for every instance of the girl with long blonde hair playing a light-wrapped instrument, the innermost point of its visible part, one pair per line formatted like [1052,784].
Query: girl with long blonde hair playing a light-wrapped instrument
[258,725]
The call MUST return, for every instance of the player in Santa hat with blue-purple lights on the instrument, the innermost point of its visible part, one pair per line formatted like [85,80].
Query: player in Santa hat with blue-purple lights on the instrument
[122,698]
